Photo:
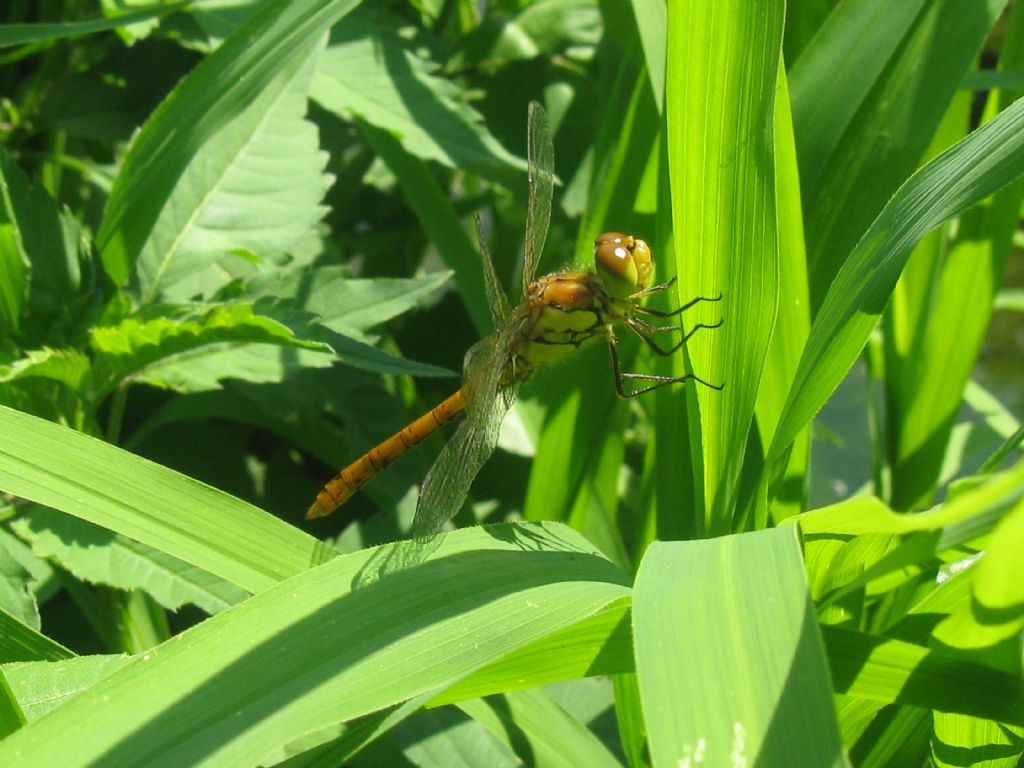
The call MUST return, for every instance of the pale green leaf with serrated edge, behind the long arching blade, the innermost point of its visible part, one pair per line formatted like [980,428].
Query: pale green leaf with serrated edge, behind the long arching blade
[257,185]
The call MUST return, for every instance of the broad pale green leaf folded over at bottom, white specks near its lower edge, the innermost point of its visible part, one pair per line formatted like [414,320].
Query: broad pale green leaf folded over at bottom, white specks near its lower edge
[719,627]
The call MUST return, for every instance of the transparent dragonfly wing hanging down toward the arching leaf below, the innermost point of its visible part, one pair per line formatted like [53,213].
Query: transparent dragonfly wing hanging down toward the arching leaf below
[447,485]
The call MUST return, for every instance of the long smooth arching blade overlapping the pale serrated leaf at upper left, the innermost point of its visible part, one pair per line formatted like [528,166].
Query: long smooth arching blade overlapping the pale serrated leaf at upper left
[278,39]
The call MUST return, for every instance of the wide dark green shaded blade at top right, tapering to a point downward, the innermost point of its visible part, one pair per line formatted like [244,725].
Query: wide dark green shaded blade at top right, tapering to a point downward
[894,55]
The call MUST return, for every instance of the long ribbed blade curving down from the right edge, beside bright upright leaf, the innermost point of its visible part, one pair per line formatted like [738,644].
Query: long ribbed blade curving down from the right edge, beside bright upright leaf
[983,163]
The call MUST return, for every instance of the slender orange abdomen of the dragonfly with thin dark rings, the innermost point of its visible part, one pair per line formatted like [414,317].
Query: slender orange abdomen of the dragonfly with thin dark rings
[364,470]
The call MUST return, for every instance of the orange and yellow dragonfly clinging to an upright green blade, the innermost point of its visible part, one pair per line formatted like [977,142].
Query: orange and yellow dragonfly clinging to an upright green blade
[559,314]
